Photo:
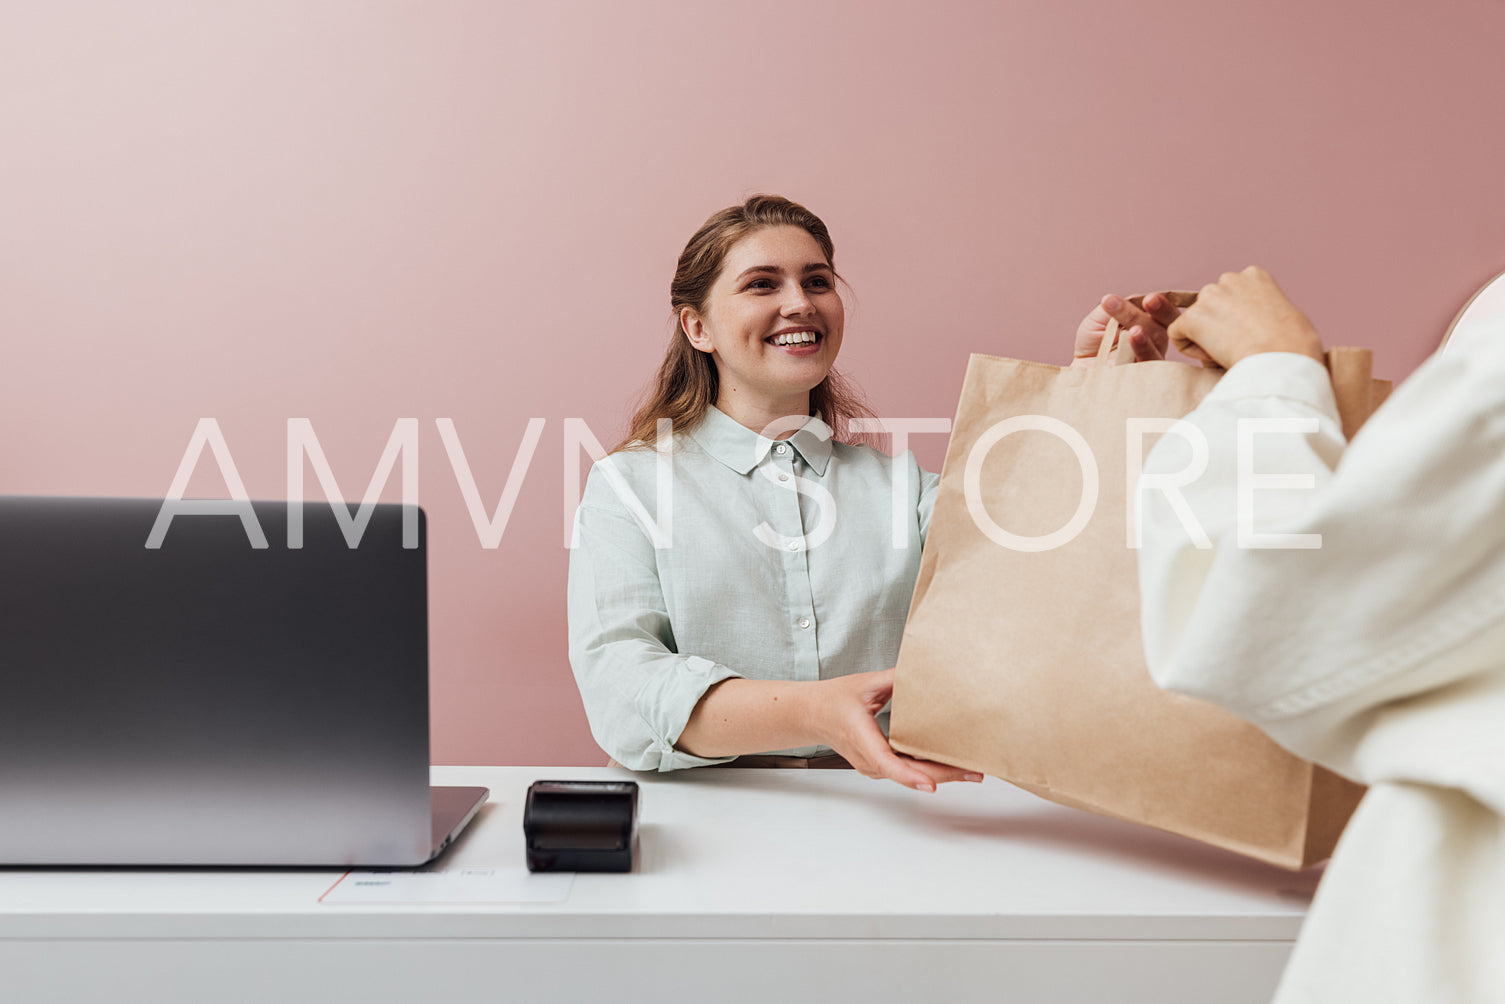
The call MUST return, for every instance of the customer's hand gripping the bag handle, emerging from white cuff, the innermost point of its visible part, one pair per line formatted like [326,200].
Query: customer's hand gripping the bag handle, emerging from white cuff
[1241,315]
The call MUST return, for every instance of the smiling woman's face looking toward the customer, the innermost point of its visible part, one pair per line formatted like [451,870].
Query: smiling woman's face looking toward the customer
[773,324]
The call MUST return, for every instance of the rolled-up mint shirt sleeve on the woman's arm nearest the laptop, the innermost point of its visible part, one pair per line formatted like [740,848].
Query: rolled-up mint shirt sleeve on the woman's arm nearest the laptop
[637,689]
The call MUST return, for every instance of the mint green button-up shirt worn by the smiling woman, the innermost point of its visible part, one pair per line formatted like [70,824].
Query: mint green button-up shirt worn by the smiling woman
[773,561]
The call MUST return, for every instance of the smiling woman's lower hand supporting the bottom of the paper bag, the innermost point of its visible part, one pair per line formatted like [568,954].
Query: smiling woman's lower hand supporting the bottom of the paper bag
[845,720]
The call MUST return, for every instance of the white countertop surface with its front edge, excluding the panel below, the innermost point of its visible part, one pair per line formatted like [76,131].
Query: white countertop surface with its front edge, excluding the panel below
[741,854]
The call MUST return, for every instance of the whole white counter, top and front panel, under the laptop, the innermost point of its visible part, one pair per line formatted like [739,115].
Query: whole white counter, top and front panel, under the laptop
[750,886]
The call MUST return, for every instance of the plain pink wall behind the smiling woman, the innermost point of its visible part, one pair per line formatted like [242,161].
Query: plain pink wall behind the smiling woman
[363,210]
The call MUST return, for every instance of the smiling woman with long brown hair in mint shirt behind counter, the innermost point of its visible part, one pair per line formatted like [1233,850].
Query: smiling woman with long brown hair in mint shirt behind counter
[762,610]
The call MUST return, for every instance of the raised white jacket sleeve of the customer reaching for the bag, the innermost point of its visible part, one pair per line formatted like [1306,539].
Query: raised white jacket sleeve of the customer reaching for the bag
[1405,592]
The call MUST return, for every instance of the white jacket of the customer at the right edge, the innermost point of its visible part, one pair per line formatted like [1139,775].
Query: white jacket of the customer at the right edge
[1379,654]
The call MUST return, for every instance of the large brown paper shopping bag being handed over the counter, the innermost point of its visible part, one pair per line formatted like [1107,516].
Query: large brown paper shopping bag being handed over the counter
[1030,665]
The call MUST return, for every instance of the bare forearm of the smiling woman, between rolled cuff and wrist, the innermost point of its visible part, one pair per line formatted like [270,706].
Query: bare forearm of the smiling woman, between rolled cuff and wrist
[737,717]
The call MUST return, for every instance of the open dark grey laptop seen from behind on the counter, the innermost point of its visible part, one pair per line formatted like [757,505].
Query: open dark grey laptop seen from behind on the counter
[207,702]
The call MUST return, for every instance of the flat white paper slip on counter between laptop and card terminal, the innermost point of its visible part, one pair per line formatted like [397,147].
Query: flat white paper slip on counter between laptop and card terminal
[461,886]
